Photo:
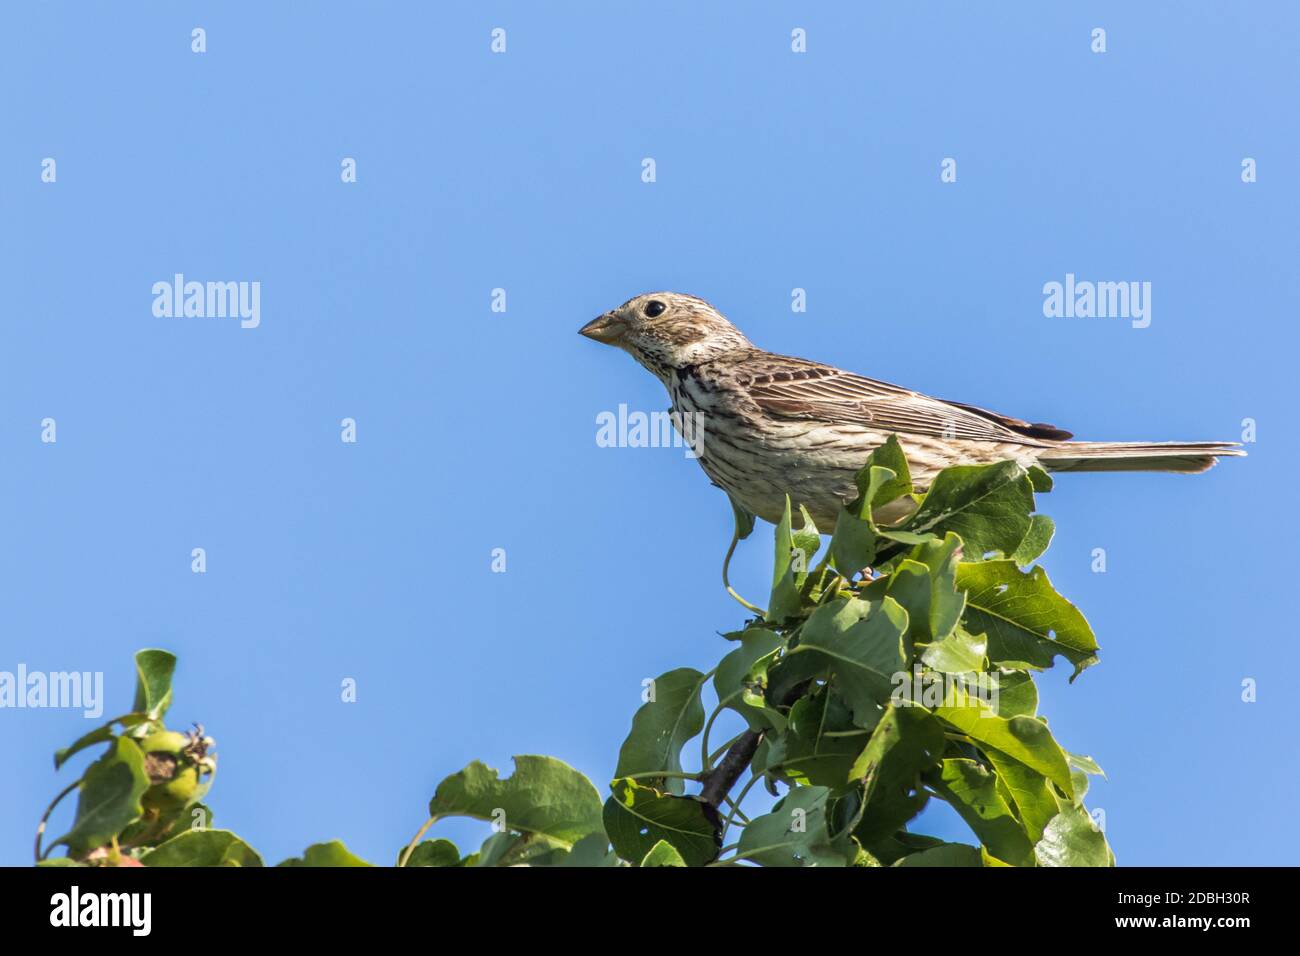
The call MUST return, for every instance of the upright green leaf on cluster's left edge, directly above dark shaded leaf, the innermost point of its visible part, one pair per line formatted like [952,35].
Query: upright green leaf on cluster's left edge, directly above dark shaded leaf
[662,728]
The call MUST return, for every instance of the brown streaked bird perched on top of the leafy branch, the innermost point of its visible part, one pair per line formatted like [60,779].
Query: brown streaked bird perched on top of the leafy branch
[770,426]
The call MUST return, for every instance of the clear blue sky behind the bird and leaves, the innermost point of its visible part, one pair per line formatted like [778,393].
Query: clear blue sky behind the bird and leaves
[478,430]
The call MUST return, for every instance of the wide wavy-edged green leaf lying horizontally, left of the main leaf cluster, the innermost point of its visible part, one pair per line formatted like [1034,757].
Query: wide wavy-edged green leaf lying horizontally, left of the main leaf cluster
[544,797]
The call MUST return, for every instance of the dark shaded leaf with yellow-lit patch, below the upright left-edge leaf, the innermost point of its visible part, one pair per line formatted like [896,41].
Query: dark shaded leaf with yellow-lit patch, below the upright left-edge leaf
[636,819]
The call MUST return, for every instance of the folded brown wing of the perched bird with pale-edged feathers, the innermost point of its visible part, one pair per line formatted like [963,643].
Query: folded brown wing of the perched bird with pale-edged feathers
[801,390]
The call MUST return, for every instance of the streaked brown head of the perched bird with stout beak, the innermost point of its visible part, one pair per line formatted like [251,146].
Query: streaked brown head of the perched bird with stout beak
[665,331]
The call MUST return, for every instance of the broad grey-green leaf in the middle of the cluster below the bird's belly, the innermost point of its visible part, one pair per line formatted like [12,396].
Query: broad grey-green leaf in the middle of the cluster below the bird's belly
[860,644]
